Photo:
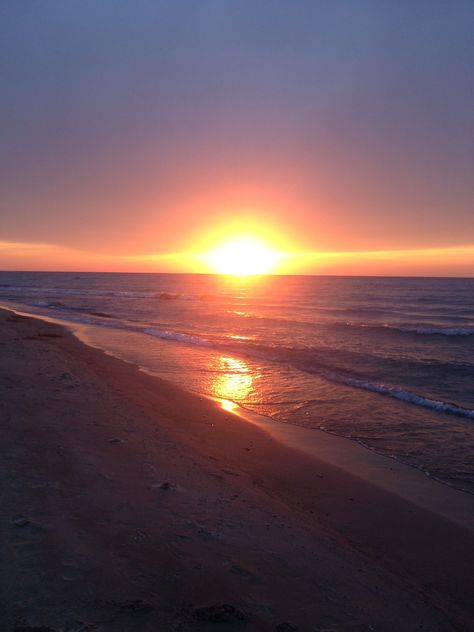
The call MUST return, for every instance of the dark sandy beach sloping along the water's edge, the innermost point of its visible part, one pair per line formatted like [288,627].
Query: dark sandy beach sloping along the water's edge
[130,504]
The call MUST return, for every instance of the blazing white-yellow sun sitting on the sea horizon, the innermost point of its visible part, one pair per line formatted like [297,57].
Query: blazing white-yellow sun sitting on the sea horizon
[243,257]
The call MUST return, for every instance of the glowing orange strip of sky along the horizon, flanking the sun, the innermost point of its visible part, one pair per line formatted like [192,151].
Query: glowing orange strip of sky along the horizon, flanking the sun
[458,261]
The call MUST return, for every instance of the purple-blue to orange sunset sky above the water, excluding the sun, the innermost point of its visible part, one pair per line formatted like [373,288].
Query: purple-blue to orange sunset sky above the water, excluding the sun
[136,135]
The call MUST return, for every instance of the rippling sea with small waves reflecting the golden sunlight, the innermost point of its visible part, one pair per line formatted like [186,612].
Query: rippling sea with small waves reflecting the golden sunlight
[387,362]
